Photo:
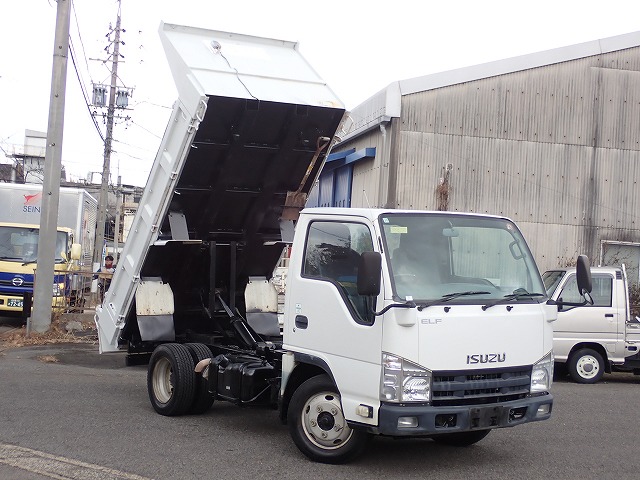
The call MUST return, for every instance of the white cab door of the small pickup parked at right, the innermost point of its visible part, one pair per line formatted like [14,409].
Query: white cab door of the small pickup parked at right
[597,323]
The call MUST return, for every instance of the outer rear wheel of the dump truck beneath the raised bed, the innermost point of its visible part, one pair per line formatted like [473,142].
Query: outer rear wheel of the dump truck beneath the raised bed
[171,380]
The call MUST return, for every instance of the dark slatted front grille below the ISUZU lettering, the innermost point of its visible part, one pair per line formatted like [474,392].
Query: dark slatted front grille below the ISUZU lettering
[472,387]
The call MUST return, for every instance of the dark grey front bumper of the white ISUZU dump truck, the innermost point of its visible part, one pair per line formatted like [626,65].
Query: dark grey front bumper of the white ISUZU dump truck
[428,420]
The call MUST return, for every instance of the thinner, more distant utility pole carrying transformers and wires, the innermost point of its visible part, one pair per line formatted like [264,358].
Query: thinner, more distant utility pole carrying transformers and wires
[104,187]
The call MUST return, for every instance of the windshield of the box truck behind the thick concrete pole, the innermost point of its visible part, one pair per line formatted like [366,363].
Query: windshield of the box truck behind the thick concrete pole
[20,244]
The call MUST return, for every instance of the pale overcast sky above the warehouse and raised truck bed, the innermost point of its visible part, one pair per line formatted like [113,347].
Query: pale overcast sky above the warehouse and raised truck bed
[357,47]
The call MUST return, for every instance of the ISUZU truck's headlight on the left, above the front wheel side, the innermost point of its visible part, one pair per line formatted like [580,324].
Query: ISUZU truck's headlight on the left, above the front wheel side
[404,381]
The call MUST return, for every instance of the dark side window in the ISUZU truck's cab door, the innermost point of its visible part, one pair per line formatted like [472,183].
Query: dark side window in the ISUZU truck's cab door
[333,253]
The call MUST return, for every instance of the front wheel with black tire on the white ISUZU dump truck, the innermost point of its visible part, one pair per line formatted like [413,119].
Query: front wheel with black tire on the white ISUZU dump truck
[317,424]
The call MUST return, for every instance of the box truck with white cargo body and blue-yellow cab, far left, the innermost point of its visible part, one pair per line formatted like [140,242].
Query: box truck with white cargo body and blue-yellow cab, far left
[20,206]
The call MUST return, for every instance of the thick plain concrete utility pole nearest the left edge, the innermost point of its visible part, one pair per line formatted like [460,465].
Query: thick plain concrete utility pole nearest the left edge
[41,319]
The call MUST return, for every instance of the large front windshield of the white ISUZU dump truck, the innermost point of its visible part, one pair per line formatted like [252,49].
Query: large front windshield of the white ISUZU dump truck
[472,259]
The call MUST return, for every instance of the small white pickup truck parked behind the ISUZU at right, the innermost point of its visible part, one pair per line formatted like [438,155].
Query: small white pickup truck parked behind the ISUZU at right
[590,340]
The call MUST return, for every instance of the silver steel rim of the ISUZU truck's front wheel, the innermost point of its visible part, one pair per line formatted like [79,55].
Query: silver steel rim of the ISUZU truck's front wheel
[323,421]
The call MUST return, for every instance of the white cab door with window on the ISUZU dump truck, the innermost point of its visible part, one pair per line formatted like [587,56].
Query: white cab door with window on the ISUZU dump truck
[330,321]
